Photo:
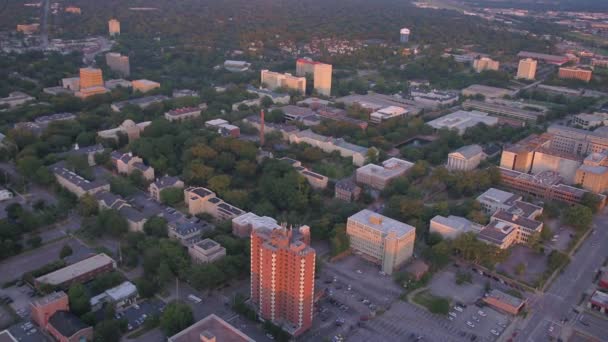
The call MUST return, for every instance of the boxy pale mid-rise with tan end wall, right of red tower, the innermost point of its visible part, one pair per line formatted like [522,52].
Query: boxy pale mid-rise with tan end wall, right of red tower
[380,239]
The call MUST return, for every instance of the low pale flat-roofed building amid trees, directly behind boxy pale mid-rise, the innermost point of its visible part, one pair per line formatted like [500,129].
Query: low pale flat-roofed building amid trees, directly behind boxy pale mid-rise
[379,176]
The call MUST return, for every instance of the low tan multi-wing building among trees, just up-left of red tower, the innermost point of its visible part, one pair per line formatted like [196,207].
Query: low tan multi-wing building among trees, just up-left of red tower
[204,201]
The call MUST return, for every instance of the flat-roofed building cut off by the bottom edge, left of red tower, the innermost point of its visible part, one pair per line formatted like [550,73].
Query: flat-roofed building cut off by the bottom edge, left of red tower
[210,329]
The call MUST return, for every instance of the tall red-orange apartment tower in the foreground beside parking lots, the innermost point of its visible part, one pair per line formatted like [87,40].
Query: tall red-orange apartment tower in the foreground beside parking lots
[282,277]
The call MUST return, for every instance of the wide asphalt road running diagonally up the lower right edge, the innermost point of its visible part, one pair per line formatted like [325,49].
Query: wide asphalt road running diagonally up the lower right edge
[565,292]
